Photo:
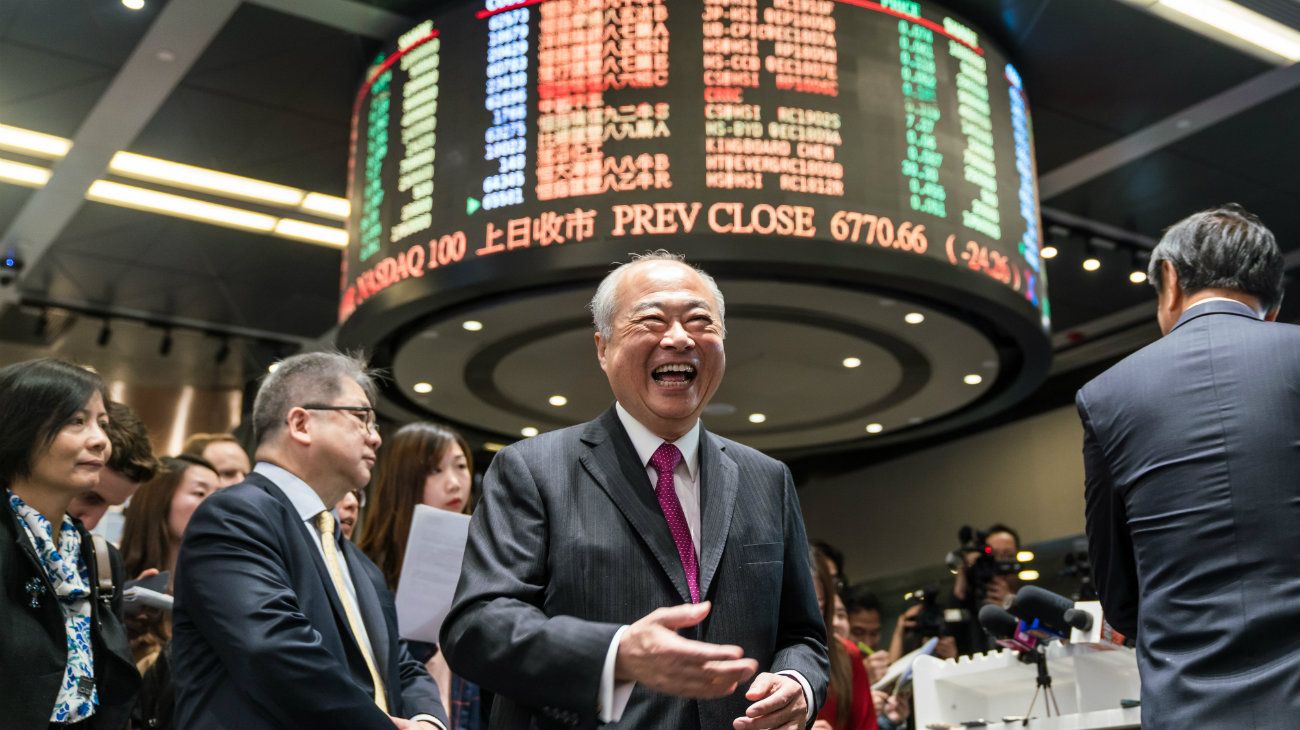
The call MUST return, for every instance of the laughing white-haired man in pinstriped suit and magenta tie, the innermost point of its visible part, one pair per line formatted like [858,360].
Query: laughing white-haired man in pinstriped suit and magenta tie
[639,571]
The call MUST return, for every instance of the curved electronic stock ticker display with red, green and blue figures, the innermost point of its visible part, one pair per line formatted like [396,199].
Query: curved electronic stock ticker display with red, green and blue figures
[497,128]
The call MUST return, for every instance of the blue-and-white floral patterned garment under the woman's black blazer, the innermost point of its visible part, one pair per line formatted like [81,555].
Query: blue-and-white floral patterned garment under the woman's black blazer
[79,696]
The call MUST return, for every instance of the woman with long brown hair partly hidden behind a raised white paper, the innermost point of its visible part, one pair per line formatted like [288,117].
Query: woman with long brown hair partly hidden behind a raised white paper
[421,464]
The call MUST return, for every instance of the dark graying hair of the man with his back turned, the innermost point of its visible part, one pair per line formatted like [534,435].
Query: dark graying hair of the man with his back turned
[1224,247]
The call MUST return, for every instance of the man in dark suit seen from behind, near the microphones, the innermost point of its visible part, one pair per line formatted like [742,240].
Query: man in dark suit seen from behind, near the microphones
[1193,455]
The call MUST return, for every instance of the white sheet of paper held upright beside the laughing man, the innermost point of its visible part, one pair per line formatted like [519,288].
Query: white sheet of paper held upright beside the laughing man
[430,572]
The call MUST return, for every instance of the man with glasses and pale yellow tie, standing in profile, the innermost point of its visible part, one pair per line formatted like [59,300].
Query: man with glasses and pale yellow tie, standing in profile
[280,624]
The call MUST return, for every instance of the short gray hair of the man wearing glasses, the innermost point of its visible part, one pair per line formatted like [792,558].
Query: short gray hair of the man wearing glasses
[313,377]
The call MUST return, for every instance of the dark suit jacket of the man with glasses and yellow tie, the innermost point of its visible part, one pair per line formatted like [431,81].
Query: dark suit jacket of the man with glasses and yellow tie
[261,640]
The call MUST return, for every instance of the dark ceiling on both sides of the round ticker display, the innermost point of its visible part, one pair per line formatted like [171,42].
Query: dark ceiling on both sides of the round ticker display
[1138,123]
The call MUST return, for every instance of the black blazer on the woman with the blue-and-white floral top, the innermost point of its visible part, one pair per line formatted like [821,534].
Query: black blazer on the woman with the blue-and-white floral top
[36,644]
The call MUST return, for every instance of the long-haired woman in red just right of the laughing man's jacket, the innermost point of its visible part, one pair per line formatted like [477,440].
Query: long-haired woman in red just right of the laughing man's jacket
[848,698]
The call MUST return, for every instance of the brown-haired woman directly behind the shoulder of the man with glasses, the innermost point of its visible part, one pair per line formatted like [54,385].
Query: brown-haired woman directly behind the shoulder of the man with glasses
[151,538]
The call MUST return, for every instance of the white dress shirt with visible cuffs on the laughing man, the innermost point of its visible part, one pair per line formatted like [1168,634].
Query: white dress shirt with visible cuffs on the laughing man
[686,481]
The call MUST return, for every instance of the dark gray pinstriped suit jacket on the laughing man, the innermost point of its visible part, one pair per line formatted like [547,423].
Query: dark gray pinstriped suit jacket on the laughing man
[570,544]
